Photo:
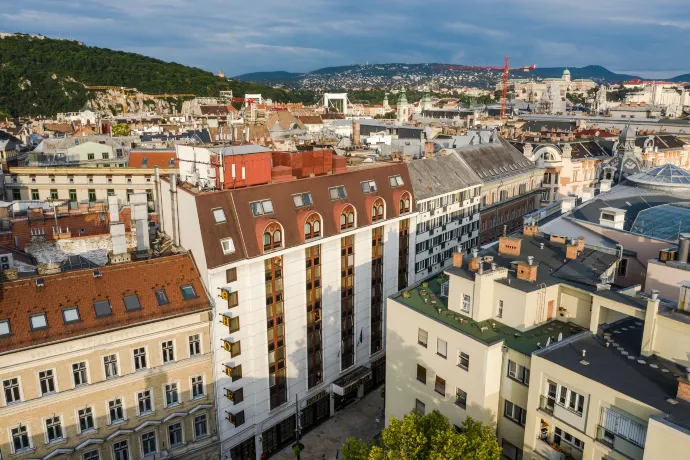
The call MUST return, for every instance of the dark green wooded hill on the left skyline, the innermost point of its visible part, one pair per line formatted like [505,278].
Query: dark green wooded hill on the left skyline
[42,76]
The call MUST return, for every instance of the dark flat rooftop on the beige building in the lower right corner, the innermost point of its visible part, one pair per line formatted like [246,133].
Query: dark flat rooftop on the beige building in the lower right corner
[650,380]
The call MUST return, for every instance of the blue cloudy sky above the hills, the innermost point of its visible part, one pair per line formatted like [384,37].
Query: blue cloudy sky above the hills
[649,38]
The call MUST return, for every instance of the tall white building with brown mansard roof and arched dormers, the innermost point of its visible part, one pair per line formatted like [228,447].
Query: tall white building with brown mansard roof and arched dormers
[298,270]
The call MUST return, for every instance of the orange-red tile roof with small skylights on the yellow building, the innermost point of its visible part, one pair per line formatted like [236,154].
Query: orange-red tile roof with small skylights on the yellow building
[22,298]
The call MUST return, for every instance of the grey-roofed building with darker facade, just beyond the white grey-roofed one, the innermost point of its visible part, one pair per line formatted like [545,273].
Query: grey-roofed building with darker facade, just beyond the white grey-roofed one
[510,186]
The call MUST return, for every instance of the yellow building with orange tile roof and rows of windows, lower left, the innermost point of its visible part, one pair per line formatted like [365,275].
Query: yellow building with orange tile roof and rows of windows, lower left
[108,363]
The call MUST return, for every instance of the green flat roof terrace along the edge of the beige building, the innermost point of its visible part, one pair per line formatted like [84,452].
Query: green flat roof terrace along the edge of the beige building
[425,297]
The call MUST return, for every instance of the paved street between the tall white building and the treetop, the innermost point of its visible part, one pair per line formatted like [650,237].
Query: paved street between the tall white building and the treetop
[358,420]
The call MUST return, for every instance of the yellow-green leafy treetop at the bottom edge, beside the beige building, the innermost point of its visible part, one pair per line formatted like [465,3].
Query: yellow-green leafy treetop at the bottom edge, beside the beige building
[427,437]
